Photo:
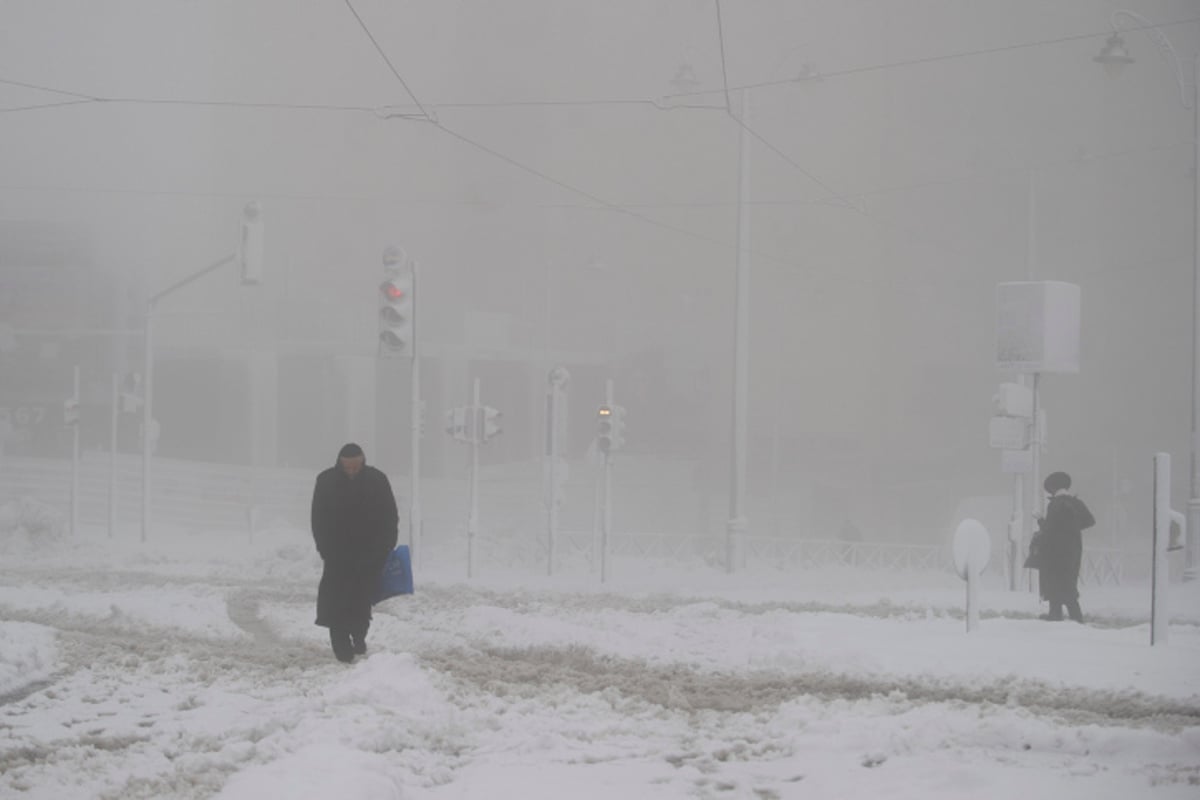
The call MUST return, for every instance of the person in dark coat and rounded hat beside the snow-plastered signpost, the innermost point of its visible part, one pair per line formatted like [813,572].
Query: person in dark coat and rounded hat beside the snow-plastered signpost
[1063,548]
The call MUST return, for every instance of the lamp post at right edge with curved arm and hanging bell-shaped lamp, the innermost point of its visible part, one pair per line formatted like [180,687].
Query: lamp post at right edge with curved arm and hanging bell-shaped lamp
[1114,58]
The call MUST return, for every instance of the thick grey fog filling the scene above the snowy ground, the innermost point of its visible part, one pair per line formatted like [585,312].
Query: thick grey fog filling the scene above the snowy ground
[573,182]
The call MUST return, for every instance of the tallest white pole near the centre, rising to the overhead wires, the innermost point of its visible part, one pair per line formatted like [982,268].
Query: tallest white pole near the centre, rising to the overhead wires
[737,525]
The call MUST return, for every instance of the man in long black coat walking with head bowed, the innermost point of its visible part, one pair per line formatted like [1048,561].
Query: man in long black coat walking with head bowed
[355,522]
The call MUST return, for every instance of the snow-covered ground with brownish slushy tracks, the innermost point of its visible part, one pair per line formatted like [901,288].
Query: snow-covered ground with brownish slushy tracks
[190,667]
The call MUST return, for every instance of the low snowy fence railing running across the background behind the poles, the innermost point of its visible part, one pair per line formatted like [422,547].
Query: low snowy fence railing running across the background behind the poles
[209,497]
